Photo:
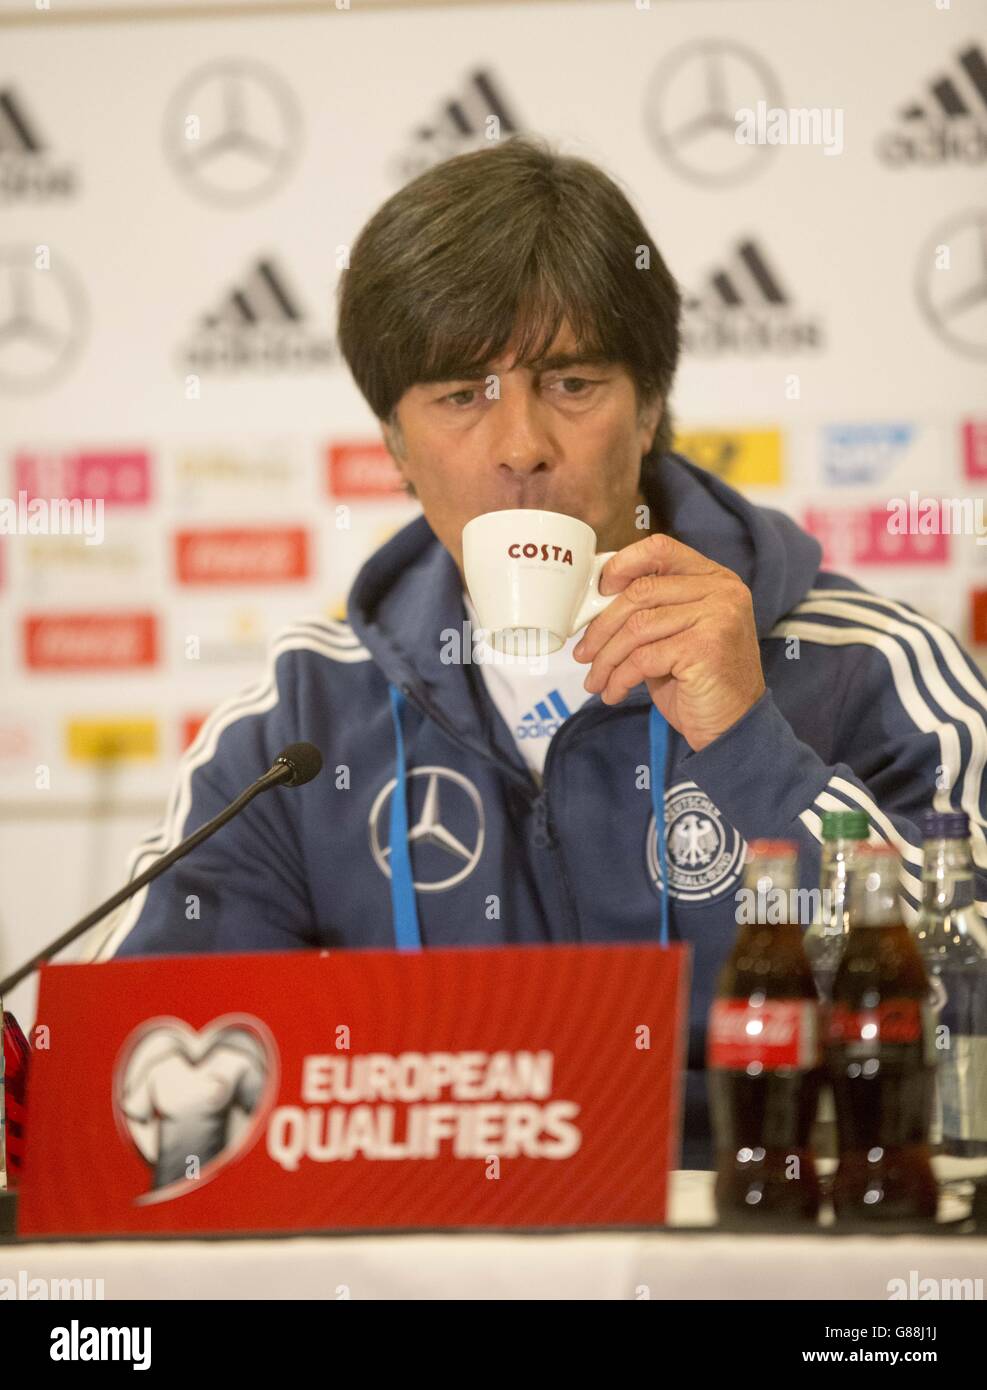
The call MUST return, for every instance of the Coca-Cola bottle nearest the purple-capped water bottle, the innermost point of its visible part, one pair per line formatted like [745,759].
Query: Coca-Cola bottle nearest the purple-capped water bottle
[881,1054]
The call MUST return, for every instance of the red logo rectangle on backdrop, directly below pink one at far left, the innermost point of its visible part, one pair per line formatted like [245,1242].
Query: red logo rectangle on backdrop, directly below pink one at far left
[90,641]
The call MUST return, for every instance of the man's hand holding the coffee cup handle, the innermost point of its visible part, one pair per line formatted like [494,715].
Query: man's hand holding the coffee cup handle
[686,628]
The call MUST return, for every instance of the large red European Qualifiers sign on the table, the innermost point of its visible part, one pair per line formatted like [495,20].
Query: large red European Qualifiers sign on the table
[521,1086]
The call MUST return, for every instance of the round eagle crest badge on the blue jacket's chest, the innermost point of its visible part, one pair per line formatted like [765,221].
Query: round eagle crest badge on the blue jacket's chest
[705,854]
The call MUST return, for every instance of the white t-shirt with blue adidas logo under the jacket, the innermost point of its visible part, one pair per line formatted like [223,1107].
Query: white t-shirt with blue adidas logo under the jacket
[535,696]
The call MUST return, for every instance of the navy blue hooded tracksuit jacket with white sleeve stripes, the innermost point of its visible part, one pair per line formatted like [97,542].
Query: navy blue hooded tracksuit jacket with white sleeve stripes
[868,707]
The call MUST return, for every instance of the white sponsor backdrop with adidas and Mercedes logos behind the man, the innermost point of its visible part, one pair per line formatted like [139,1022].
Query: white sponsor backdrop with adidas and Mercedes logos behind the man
[836,357]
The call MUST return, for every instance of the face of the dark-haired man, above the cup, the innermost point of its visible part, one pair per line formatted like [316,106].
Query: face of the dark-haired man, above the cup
[566,439]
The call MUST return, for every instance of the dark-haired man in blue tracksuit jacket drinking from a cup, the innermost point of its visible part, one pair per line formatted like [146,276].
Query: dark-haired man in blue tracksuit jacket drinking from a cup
[516,333]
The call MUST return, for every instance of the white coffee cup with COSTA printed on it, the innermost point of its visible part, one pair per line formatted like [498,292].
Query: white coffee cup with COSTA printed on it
[533,578]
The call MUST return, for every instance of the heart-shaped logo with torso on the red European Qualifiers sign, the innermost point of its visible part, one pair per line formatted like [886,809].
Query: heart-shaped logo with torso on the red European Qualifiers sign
[191,1103]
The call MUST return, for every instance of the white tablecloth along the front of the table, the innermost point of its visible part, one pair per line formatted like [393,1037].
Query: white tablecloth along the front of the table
[598,1266]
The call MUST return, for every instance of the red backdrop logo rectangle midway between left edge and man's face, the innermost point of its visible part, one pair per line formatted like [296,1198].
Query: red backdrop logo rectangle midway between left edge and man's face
[251,555]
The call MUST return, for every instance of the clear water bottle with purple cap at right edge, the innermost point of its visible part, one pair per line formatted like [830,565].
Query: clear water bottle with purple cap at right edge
[953,939]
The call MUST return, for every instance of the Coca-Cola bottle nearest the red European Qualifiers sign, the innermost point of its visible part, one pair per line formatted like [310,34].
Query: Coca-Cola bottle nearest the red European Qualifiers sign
[764,1054]
